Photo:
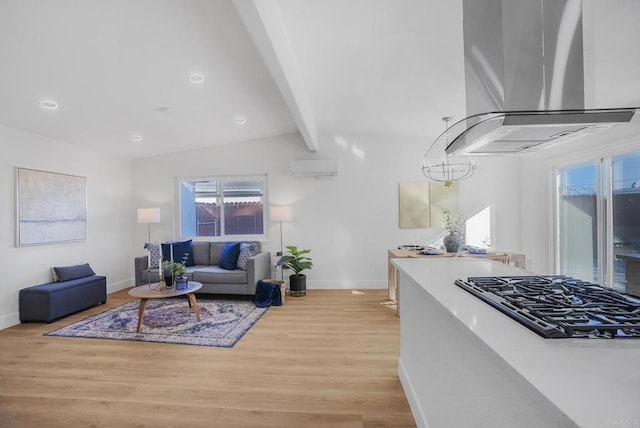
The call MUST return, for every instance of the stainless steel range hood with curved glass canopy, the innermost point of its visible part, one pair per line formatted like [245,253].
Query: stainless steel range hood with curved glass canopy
[524,75]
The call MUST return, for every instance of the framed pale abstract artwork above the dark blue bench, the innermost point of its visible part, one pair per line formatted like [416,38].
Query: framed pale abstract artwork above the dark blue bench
[50,207]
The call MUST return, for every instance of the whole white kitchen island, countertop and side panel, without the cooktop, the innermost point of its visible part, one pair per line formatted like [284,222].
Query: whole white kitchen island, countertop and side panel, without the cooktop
[464,363]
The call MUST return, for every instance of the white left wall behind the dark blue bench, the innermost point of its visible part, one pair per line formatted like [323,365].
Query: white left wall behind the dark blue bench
[109,214]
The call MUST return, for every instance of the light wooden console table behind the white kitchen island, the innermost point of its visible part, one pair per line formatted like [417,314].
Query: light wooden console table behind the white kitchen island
[515,259]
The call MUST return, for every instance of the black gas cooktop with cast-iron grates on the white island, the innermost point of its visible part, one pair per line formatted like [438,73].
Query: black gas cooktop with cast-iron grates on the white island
[557,306]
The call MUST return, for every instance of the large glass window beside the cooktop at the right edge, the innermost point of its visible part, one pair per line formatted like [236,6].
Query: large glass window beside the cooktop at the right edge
[597,218]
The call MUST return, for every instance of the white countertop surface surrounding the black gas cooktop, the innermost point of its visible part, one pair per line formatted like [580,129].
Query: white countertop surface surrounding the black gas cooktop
[595,382]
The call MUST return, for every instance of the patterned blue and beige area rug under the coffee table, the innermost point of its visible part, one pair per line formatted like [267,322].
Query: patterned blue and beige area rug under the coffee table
[223,322]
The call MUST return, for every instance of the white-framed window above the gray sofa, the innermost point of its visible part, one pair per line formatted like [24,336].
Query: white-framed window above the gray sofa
[223,207]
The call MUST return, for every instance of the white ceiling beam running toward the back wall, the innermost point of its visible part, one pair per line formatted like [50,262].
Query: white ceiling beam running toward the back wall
[263,19]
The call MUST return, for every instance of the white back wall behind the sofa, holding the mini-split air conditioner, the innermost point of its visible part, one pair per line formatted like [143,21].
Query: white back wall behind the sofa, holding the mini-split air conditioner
[348,222]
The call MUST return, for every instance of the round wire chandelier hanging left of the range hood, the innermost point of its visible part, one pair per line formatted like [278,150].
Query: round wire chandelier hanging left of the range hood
[443,169]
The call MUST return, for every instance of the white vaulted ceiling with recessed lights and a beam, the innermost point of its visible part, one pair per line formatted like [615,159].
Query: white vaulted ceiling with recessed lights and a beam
[120,68]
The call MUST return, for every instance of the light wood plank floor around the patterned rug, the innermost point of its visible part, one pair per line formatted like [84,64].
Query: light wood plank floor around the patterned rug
[329,359]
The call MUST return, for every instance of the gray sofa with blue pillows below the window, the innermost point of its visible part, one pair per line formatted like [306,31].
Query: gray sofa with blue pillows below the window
[214,279]
